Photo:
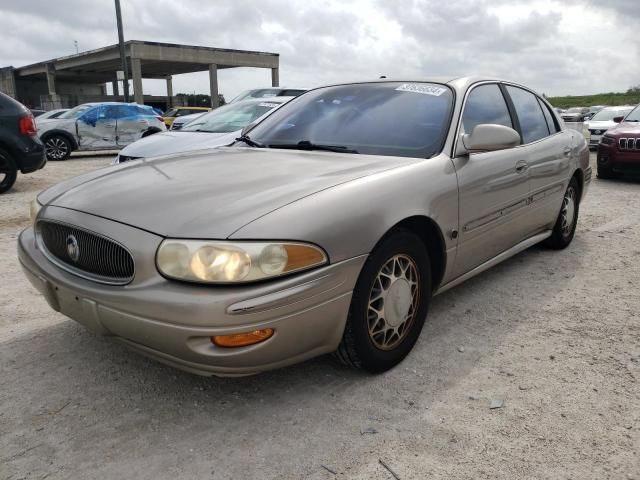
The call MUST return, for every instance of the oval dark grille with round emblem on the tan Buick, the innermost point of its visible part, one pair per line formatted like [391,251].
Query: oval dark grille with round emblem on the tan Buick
[85,253]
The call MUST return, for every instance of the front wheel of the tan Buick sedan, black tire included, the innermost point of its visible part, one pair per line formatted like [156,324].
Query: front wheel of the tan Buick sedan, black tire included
[360,349]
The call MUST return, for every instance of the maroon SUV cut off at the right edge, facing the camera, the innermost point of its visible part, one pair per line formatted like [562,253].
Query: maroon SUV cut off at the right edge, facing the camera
[619,148]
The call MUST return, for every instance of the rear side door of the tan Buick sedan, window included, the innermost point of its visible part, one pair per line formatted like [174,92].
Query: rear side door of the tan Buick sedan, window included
[548,150]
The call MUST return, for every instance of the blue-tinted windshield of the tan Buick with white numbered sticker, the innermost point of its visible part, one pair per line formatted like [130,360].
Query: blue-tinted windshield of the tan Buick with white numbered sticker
[388,118]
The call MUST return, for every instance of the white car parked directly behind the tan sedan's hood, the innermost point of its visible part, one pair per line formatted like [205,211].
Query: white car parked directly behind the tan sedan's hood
[213,129]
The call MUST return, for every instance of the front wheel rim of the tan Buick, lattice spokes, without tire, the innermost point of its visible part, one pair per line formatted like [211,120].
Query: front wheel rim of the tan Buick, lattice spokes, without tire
[393,302]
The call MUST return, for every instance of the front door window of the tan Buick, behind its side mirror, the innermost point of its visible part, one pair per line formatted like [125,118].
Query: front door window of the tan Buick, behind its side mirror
[485,104]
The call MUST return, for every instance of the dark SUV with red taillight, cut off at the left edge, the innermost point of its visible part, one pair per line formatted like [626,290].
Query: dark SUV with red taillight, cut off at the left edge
[20,147]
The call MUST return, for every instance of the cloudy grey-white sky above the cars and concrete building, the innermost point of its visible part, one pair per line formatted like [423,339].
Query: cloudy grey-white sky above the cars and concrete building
[556,47]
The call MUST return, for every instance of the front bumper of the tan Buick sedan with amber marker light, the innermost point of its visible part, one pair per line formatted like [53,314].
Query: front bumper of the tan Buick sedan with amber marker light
[173,322]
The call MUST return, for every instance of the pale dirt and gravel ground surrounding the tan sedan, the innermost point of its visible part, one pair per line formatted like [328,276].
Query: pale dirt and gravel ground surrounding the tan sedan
[552,335]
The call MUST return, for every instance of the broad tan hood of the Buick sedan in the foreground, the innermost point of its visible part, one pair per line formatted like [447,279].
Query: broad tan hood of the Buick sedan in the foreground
[210,194]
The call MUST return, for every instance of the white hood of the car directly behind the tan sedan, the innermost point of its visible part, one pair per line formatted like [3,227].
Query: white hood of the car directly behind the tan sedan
[166,143]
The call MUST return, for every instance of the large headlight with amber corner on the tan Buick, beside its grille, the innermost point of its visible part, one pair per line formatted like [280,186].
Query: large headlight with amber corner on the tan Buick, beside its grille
[234,262]
